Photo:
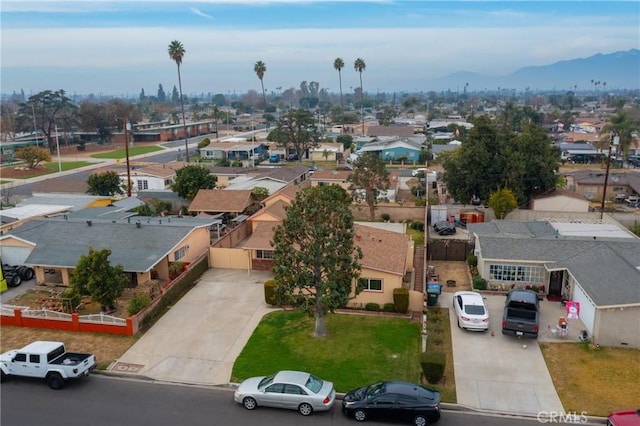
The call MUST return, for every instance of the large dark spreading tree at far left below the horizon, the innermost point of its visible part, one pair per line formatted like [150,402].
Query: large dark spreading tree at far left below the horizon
[48,109]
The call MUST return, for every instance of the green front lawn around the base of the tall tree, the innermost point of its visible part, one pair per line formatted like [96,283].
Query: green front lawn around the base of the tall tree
[359,349]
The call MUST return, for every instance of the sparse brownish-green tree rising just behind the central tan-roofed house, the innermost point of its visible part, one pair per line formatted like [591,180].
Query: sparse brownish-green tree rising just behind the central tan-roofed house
[369,177]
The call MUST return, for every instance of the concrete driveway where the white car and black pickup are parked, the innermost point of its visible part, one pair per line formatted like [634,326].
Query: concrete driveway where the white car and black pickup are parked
[499,373]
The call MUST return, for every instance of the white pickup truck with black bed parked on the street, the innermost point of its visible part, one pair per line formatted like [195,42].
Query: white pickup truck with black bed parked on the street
[46,360]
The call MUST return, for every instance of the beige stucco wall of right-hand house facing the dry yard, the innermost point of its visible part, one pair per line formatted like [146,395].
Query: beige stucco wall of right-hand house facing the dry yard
[617,326]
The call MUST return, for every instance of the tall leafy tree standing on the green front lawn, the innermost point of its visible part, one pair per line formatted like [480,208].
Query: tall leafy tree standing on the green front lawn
[315,259]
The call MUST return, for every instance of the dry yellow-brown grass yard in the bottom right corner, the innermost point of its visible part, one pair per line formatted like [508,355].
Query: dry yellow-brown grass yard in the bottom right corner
[591,379]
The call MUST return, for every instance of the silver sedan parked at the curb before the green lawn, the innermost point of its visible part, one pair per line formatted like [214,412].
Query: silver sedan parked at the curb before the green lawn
[294,390]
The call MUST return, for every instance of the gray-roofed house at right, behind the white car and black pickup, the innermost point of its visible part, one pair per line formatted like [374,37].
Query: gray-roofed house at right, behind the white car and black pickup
[595,264]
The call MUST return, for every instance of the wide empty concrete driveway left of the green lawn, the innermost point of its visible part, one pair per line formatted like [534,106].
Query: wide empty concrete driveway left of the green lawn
[199,339]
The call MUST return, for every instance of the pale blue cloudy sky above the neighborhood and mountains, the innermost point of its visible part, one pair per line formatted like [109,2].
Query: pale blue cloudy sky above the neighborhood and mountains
[121,47]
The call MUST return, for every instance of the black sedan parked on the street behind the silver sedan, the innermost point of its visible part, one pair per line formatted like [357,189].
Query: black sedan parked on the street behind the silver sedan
[395,401]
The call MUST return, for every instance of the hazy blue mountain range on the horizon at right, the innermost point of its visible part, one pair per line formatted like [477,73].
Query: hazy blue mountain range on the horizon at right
[619,70]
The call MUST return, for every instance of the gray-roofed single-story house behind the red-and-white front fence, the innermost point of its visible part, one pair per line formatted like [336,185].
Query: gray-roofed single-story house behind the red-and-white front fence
[145,247]
